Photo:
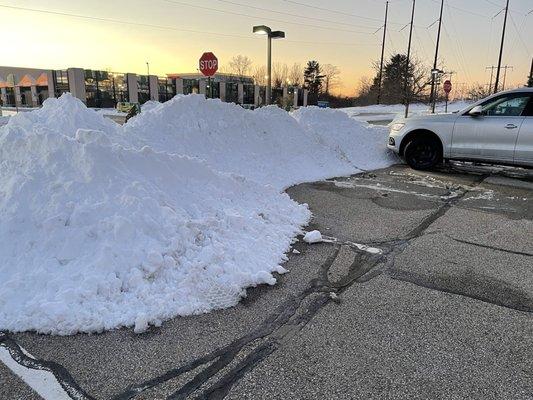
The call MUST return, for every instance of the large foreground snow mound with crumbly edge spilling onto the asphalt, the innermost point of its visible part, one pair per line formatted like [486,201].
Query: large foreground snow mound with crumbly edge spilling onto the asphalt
[96,236]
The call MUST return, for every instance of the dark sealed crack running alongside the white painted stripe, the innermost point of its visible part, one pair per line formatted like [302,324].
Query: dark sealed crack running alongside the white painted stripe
[61,374]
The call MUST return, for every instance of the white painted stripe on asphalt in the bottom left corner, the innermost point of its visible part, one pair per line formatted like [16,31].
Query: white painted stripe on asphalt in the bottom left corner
[41,381]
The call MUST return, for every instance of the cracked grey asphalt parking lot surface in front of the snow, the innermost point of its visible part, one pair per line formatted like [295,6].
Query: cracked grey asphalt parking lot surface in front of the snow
[422,289]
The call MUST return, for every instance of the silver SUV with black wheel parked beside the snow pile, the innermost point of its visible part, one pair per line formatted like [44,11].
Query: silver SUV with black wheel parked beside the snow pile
[495,130]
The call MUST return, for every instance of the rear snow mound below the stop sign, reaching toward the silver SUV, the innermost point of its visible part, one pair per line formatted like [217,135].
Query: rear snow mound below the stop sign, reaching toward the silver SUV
[267,145]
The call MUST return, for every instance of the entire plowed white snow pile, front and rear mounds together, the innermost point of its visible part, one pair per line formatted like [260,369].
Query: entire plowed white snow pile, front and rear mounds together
[176,213]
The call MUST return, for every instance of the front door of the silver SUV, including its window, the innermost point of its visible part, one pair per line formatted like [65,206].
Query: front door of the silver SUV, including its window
[492,135]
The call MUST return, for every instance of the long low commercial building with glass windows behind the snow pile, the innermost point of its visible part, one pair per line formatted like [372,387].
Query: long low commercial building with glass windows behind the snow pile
[29,87]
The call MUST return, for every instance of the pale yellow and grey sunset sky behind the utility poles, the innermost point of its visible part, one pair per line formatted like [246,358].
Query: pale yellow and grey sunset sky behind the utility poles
[343,35]
